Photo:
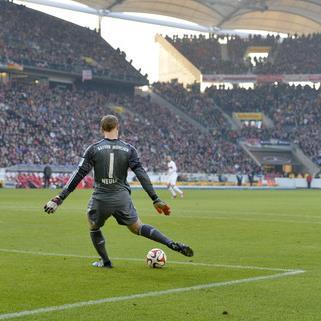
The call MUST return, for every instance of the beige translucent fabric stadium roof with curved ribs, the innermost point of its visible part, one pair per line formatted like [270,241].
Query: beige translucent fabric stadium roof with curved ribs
[287,16]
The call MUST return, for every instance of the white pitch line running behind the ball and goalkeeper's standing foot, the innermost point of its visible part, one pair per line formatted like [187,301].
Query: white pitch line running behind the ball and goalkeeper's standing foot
[229,266]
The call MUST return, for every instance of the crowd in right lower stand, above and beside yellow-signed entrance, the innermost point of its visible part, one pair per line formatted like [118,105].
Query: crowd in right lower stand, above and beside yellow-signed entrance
[295,112]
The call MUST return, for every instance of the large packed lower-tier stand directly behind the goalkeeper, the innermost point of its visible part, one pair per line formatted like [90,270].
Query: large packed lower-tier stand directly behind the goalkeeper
[74,116]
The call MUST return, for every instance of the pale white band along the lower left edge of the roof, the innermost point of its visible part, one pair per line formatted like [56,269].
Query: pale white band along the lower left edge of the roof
[125,16]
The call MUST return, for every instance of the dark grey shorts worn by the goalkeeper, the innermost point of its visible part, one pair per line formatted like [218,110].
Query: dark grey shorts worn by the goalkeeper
[121,208]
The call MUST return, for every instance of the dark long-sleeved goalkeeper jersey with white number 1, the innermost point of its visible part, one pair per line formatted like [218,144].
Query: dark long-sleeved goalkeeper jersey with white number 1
[110,160]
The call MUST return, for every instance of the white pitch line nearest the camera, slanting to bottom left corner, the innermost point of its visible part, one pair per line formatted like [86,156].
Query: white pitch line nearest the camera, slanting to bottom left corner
[8,316]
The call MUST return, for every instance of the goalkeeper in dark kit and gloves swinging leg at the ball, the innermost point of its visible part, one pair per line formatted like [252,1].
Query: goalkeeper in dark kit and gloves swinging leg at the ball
[110,158]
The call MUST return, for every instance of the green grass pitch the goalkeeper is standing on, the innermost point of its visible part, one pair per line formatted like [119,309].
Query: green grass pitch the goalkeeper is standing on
[231,232]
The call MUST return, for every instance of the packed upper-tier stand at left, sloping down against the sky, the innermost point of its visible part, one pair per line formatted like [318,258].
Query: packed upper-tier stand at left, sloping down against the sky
[34,39]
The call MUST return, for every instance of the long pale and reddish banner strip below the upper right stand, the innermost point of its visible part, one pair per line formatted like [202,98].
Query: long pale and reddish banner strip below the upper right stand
[261,78]
